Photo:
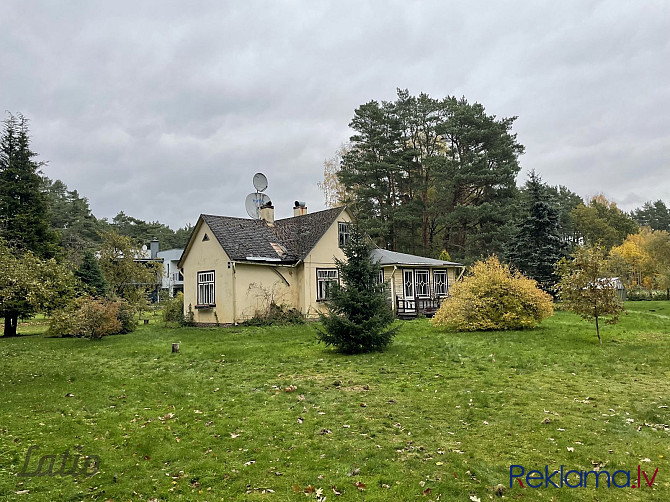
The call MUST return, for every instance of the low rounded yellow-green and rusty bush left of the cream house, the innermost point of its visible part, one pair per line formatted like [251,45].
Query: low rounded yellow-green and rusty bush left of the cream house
[91,318]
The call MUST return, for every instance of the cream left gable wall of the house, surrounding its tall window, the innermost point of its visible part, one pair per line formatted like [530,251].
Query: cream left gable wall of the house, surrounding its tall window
[202,257]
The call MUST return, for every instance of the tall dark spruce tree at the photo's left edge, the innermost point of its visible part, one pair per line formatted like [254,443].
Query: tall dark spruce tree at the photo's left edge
[24,220]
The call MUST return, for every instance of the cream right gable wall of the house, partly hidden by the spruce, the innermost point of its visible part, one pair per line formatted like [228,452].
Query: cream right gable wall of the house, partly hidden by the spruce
[322,256]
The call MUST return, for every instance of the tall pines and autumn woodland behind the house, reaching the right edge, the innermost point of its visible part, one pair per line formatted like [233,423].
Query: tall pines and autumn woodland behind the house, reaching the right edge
[425,175]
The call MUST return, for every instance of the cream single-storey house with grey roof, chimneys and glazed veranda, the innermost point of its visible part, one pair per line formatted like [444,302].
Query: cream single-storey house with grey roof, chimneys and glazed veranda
[235,267]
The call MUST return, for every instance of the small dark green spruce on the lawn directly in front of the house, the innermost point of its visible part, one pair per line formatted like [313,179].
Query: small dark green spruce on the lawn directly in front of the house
[359,315]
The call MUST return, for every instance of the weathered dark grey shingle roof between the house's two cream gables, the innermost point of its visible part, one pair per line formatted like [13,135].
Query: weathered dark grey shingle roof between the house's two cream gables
[288,241]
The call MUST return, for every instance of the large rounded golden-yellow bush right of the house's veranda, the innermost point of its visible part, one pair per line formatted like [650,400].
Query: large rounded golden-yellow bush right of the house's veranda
[493,297]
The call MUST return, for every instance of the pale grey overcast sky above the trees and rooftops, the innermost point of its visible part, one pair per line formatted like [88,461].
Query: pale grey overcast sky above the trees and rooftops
[165,110]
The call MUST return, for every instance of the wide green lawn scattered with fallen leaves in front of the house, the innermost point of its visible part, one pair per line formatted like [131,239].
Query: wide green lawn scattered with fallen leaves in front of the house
[437,416]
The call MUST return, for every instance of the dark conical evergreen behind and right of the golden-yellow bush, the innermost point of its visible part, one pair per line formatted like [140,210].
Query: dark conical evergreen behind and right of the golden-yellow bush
[537,246]
